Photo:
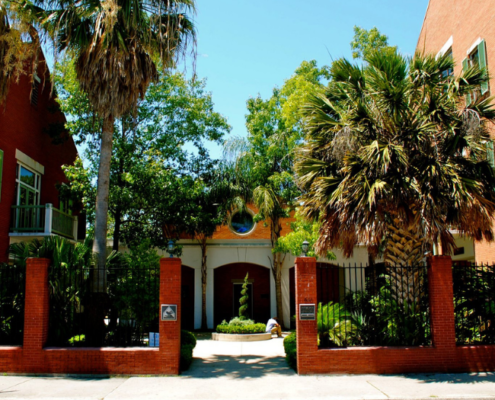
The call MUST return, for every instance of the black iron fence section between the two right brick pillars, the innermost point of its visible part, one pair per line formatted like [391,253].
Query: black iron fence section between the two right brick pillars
[372,305]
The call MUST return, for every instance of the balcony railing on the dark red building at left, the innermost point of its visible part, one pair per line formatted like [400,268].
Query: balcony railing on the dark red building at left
[45,220]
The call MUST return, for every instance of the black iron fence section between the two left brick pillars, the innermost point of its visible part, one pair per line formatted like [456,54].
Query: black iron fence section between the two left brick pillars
[114,307]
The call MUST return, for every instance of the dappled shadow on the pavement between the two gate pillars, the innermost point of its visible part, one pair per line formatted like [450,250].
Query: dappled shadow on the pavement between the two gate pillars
[238,367]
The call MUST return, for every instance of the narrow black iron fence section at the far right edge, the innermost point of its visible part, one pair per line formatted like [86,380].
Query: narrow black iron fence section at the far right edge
[474,303]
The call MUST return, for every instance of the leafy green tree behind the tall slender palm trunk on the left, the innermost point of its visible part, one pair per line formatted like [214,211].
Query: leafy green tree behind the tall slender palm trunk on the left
[153,152]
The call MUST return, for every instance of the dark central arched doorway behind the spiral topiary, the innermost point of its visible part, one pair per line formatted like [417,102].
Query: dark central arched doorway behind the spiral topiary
[228,281]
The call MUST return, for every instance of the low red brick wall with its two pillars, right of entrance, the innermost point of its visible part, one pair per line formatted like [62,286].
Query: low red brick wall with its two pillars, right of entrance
[443,356]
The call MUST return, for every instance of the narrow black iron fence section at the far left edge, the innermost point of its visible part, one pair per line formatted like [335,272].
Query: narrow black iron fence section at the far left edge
[12,288]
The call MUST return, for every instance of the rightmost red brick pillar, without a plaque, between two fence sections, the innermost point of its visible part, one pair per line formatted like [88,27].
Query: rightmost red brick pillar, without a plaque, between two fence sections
[442,305]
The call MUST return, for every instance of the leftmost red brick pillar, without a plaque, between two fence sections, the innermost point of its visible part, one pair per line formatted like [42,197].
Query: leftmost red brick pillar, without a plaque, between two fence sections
[36,313]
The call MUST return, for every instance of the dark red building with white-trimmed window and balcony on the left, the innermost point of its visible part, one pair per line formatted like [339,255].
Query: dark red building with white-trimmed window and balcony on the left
[30,163]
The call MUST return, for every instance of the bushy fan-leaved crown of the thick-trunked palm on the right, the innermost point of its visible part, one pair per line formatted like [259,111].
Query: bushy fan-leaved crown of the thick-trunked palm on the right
[393,147]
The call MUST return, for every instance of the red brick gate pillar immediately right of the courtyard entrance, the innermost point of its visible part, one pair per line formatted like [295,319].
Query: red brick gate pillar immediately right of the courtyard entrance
[307,337]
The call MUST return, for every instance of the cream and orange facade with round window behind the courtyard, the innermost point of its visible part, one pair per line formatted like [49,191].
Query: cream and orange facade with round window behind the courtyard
[237,248]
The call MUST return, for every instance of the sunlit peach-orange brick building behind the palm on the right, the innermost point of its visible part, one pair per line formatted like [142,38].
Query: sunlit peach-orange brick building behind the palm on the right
[465,29]
